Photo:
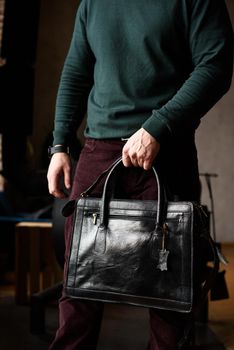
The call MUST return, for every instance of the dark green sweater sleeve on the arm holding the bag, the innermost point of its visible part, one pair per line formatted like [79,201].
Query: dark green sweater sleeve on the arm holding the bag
[211,47]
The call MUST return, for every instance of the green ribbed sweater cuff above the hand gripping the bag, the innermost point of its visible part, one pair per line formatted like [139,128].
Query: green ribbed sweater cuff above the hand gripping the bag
[157,127]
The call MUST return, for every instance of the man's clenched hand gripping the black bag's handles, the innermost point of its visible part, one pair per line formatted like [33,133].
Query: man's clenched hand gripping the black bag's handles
[140,150]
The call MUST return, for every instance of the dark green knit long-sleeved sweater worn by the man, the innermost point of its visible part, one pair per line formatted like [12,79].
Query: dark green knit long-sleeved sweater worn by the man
[156,64]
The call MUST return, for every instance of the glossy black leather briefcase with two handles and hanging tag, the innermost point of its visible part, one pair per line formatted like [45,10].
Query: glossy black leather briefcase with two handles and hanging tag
[139,252]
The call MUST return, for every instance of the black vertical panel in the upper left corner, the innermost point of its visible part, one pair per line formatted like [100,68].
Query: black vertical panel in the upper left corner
[17,76]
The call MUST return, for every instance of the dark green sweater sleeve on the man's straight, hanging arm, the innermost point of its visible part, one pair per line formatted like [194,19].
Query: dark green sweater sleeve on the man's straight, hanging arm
[75,83]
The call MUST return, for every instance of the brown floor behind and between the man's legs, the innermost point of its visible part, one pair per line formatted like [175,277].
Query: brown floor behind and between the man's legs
[124,328]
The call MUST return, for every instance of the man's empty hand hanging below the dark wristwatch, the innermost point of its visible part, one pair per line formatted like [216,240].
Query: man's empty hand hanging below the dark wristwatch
[59,169]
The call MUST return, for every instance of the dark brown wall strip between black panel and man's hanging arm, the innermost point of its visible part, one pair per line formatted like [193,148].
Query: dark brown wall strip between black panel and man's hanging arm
[55,29]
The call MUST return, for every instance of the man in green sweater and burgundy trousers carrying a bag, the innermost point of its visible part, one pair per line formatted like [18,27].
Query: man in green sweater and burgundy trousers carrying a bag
[145,72]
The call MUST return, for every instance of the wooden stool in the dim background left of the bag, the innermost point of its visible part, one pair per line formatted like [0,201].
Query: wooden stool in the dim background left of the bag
[35,264]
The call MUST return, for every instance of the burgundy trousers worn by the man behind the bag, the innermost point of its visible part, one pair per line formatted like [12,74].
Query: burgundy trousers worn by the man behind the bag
[80,321]
